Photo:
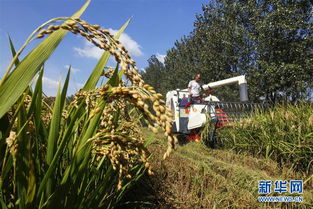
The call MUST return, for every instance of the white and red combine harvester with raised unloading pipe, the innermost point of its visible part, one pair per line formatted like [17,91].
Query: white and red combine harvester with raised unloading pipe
[189,118]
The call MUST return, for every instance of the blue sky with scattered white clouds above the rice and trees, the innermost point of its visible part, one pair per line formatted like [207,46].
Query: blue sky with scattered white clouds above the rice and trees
[155,26]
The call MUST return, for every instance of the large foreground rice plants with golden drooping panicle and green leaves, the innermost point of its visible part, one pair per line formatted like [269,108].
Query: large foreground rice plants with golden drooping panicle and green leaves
[80,154]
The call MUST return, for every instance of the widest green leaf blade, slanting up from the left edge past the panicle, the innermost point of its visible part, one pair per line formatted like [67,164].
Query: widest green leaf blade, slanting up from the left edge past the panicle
[29,66]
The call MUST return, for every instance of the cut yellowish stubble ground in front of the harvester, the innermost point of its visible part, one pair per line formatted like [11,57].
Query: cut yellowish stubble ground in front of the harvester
[195,176]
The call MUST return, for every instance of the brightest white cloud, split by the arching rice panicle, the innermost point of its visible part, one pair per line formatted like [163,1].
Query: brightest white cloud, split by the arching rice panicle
[91,51]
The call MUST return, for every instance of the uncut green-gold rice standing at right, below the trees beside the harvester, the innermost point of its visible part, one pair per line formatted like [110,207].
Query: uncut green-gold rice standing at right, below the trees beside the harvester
[284,134]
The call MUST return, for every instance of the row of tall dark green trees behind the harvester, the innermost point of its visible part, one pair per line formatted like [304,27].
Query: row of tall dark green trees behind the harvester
[269,41]
